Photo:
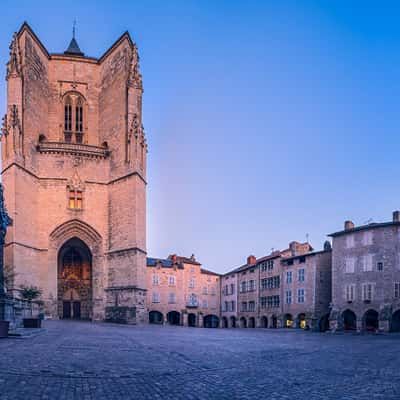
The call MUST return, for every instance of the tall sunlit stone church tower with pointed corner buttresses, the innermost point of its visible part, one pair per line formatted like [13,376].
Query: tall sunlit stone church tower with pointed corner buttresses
[74,172]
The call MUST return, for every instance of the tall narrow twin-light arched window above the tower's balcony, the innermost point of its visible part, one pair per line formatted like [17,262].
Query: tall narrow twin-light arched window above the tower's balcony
[73,121]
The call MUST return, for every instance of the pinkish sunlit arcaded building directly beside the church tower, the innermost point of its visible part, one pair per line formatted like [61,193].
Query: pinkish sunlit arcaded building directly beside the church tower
[181,292]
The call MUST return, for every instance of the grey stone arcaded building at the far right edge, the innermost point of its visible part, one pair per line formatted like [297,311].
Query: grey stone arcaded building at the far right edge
[366,276]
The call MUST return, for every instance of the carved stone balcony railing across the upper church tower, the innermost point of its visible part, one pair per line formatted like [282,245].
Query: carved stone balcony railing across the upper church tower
[73,148]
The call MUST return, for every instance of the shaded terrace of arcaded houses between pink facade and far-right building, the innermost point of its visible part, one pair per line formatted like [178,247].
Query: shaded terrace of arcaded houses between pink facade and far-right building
[287,288]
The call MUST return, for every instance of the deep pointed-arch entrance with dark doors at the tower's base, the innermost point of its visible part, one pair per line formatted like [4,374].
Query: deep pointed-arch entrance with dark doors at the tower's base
[75,280]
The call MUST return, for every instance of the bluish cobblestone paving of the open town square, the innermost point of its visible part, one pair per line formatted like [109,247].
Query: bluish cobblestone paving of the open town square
[78,360]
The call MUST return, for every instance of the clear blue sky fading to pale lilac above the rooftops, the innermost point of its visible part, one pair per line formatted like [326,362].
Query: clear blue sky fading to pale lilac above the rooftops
[266,120]
